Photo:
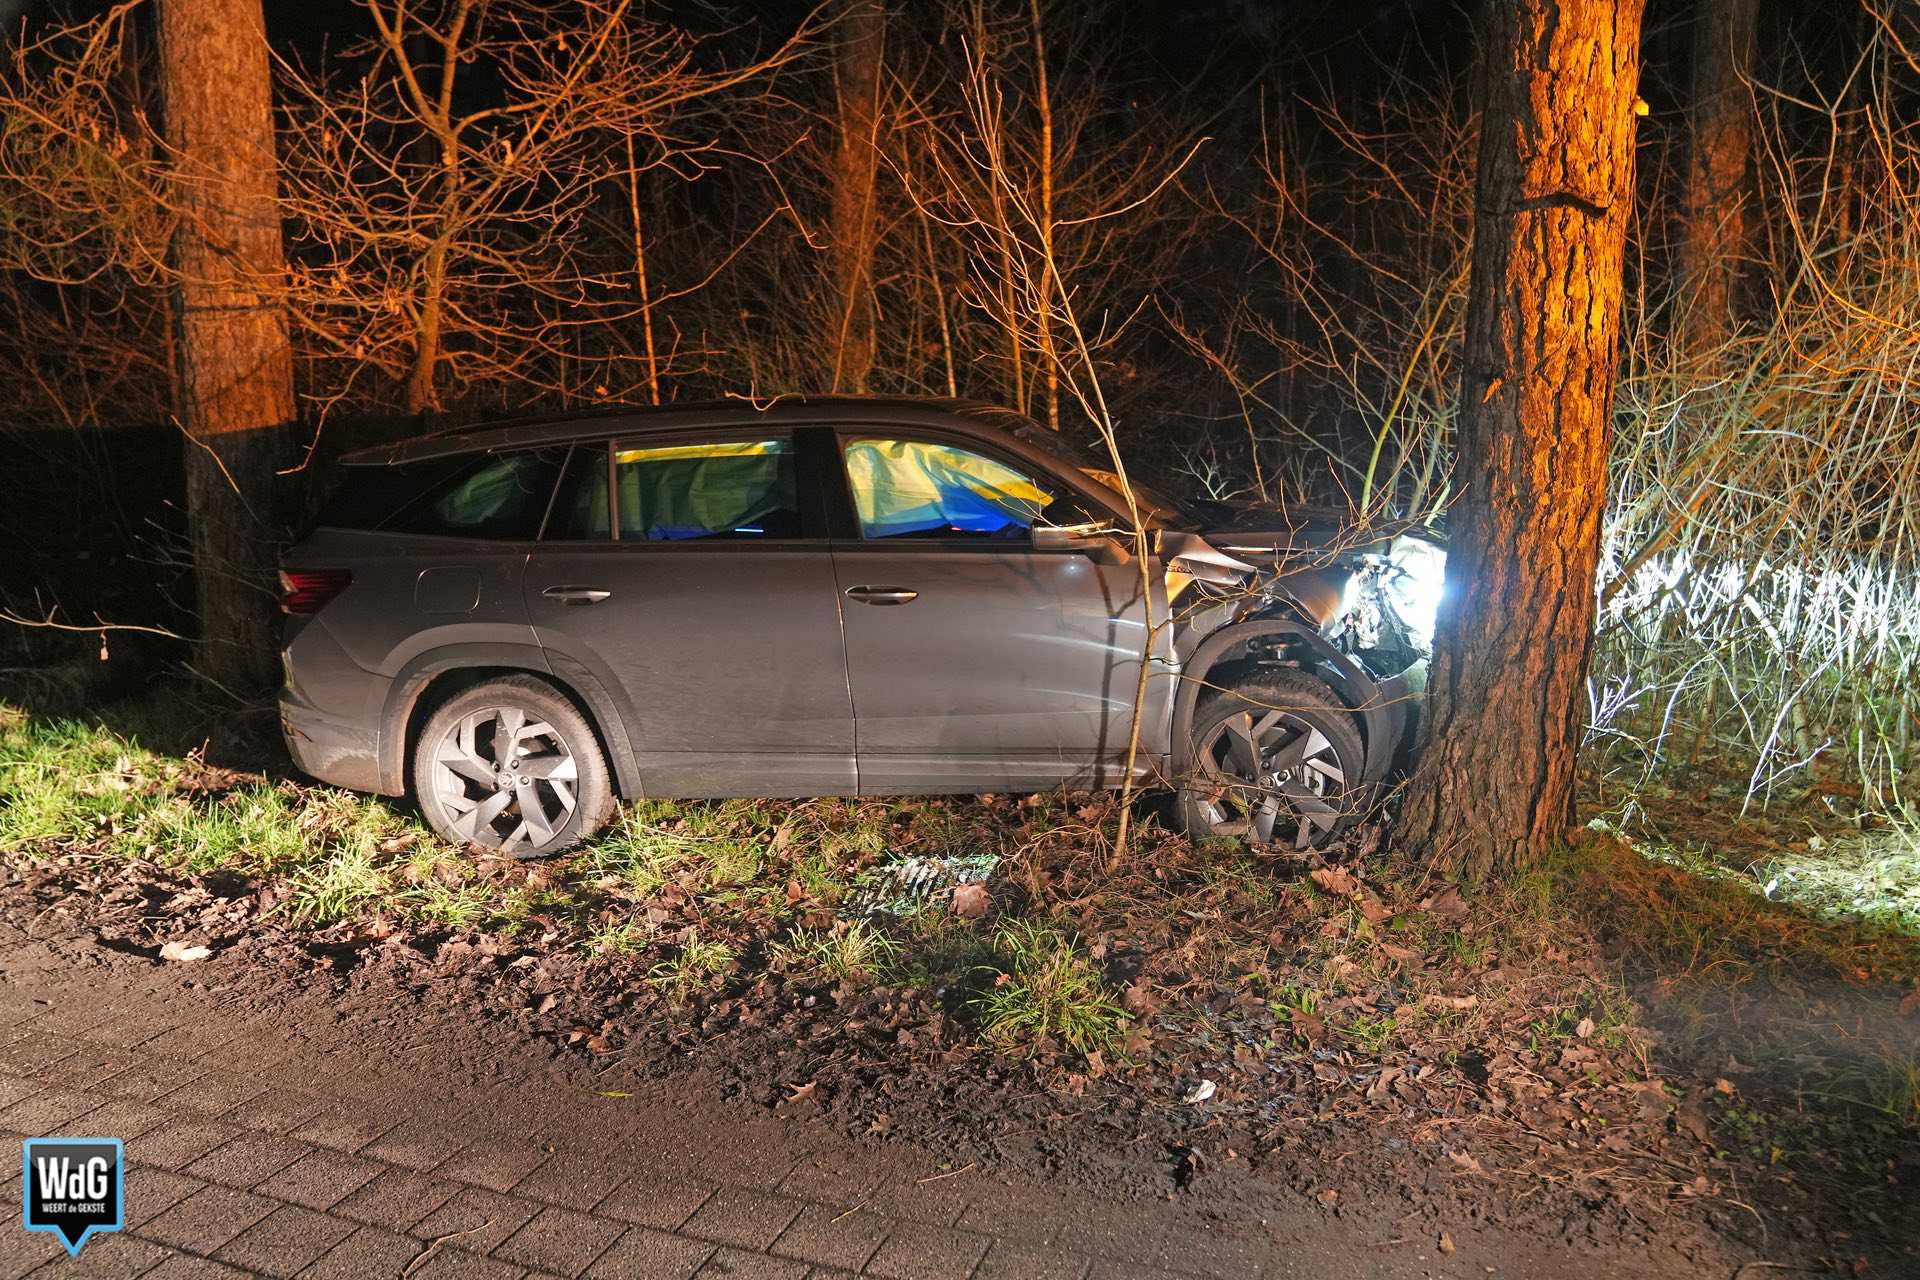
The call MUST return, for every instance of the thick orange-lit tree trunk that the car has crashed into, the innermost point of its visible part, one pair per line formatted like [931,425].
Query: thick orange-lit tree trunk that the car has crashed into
[1506,699]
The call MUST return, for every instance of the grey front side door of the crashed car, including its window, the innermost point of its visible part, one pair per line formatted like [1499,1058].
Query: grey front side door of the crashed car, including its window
[978,659]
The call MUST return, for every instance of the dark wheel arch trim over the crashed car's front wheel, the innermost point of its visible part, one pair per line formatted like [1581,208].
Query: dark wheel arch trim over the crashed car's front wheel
[1374,711]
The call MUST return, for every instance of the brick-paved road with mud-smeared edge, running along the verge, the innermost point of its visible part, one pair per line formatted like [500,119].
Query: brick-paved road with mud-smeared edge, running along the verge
[331,1137]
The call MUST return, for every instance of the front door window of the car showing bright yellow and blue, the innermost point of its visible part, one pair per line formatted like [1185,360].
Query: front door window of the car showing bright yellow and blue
[917,488]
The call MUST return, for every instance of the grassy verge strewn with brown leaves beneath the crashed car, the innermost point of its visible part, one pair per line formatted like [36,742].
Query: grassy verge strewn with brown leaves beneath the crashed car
[719,895]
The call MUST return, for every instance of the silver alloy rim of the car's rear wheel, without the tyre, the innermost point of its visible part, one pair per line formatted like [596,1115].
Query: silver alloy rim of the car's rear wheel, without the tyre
[506,780]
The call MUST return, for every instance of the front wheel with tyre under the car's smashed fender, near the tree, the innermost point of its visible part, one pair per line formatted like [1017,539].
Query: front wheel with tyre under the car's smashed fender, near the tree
[1305,736]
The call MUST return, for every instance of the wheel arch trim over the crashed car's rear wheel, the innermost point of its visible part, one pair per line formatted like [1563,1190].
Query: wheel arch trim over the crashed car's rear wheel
[437,676]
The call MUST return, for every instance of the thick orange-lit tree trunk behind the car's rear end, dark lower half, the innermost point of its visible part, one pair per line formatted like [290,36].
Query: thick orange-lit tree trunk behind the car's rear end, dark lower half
[237,371]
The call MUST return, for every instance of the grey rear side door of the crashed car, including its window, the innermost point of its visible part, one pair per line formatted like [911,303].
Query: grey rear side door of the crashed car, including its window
[694,581]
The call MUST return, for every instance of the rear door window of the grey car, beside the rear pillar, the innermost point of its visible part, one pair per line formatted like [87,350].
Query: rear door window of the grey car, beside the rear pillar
[727,490]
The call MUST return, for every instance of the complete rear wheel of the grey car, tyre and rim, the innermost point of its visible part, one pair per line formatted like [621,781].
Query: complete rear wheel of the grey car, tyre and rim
[558,799]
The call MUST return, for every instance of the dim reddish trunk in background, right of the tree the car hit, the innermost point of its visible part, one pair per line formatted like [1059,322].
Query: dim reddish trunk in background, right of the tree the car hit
[1716,231]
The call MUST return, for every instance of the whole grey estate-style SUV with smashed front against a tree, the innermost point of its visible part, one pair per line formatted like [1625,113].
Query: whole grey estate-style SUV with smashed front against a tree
[523,623]
